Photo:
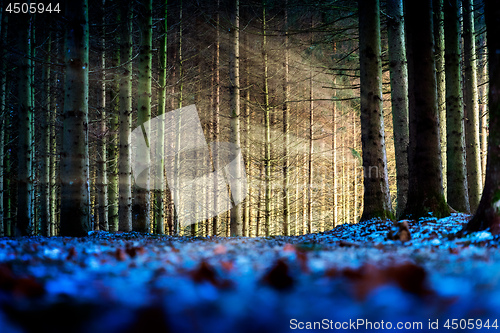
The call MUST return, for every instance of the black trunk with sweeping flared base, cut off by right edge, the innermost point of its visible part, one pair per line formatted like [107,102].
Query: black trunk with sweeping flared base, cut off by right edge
[488,211]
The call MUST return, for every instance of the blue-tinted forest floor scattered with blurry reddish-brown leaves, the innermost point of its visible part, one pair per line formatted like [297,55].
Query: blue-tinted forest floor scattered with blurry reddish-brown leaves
[350,278]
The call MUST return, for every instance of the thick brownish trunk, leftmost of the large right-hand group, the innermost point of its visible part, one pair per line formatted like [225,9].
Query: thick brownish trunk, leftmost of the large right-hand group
[377,202]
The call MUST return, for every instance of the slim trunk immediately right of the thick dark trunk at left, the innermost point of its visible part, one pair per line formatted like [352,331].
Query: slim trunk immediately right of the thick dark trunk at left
[102,177]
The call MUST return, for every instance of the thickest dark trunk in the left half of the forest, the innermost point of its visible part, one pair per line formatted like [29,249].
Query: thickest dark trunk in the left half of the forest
[75,196]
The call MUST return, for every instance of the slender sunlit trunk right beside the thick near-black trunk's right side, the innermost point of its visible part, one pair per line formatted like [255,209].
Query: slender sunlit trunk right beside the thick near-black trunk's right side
[438,23]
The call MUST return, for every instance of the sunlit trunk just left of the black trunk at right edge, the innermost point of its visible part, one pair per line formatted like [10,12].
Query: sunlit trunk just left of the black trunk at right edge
[471,108]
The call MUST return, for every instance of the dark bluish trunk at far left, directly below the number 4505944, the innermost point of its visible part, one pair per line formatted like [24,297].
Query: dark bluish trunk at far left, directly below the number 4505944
[25,115]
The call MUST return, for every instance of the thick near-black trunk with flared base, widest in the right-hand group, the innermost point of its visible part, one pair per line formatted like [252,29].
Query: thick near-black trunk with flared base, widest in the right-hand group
[425,194]
